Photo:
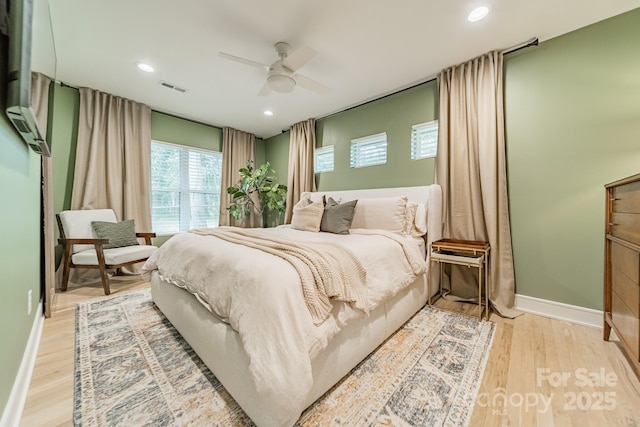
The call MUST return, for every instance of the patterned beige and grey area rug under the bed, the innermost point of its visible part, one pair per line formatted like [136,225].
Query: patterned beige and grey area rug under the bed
[133,368]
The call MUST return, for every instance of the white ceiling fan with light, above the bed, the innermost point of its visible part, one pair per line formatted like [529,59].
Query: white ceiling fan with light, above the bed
[281,75]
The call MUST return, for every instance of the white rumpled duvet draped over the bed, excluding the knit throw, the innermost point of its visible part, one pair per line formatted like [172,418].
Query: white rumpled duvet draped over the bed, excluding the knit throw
[259,295]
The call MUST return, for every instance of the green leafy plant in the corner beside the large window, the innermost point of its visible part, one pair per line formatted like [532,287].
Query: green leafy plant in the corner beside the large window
[256,191]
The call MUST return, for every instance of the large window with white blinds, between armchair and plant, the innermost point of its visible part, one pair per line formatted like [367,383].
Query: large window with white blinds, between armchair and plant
[185,187]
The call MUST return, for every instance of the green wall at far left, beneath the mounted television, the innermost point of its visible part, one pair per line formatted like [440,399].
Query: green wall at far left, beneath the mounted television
[20,244]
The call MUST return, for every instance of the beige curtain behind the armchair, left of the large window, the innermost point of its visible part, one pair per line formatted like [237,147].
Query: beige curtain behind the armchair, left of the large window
[113,157]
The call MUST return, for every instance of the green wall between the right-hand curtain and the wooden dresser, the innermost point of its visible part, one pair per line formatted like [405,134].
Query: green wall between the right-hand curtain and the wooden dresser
[572,125]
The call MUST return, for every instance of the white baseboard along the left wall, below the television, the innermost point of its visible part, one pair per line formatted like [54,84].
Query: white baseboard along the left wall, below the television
[13,411]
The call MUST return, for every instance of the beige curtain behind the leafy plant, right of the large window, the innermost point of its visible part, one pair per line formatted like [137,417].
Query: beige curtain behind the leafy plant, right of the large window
[238,148]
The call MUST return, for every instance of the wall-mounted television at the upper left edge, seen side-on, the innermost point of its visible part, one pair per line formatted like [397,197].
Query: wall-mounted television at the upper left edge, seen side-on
[20,28]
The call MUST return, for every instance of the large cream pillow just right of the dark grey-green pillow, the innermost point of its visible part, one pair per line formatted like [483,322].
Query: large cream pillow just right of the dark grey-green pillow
[386,213]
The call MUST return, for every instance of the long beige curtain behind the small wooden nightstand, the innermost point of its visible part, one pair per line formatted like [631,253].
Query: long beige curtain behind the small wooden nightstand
[470,167]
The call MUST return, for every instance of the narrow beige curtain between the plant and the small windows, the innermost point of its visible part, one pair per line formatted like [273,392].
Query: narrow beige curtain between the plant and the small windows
[300,177]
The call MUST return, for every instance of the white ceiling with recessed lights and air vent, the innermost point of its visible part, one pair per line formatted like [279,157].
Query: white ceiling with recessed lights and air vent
[365,48]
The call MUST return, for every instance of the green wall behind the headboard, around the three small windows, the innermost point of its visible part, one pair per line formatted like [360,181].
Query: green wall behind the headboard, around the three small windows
[394,114]
